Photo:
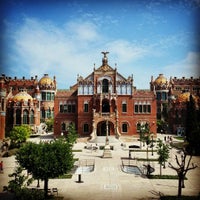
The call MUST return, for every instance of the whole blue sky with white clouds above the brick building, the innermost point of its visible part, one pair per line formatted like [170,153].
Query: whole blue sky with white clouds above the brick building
[66,38]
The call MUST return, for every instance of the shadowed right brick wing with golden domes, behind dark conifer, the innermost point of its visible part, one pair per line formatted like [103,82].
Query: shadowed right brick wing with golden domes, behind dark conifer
[172,97]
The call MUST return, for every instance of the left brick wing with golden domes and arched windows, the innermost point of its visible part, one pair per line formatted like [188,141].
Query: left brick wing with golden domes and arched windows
[25,101]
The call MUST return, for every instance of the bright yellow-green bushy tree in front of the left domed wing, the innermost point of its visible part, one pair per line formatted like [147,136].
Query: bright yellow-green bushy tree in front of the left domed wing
[19,134]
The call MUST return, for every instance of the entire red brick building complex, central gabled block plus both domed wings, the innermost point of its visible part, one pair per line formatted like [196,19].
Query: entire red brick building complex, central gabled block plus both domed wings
[103,99]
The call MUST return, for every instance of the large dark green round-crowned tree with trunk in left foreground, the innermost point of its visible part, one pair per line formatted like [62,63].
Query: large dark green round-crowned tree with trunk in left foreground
[46,160]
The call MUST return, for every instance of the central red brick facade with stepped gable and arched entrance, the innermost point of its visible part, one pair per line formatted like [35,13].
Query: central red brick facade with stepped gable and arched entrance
[104,97]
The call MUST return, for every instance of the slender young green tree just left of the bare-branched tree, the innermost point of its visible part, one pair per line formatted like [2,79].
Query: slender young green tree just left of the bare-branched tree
[163,153]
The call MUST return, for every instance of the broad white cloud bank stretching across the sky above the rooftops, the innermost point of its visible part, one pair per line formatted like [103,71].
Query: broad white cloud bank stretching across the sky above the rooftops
[65,51]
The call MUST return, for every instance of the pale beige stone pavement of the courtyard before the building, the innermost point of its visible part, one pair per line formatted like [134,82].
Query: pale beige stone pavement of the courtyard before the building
[108,181]
